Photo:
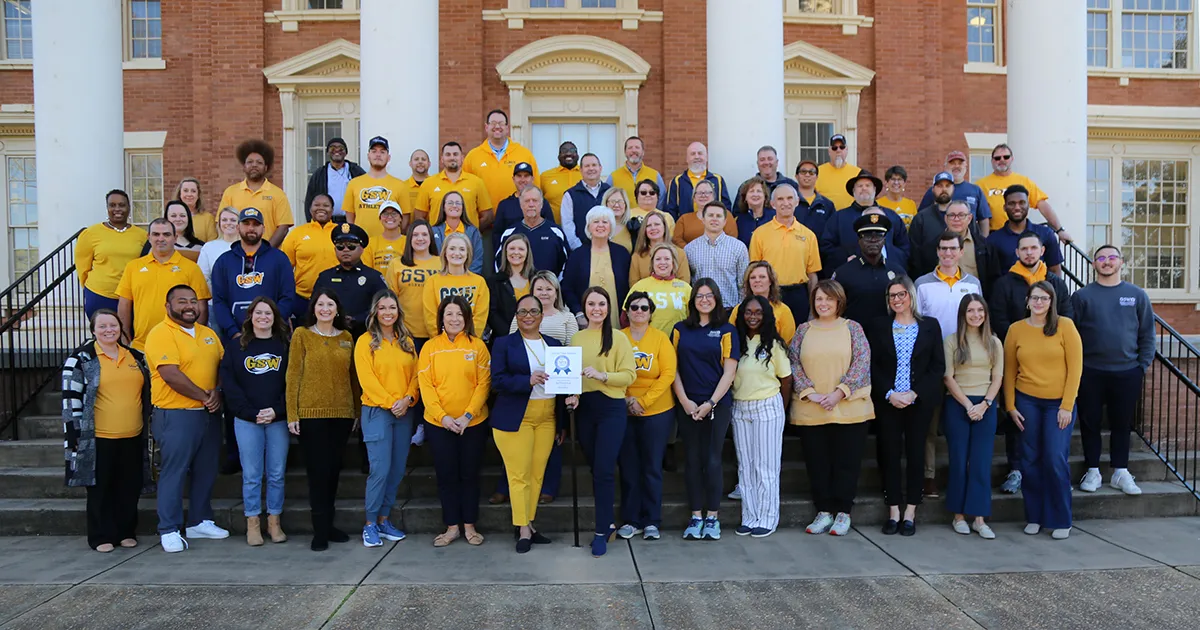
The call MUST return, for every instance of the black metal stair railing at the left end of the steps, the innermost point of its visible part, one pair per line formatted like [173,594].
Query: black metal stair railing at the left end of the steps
[40,327]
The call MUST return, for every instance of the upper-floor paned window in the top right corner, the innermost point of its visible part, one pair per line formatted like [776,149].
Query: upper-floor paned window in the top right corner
[1155,34]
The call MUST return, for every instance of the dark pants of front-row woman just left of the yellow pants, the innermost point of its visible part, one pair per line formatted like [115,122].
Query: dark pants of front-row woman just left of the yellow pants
[457,460]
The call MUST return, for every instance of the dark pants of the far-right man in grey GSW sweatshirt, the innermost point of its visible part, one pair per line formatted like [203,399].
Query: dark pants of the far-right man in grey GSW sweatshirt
[1119,392]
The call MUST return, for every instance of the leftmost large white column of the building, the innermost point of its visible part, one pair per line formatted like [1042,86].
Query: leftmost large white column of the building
[79,113]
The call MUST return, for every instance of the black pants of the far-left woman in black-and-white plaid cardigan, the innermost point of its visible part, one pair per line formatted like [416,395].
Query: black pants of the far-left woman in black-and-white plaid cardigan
[113,501]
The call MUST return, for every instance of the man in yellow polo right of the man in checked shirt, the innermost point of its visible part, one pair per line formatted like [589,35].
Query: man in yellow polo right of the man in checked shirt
[791,249]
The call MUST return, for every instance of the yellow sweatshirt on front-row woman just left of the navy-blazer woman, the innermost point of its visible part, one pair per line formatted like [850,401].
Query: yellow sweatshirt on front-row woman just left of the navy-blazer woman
[455,377]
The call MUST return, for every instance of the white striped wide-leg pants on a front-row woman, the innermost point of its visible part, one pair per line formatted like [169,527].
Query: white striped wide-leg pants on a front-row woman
[759,441]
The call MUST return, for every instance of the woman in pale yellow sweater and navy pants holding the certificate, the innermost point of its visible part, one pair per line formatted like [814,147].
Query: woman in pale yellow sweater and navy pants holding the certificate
[608,371]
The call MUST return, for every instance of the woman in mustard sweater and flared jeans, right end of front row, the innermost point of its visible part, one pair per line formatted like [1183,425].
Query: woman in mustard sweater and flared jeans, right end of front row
[1043,364]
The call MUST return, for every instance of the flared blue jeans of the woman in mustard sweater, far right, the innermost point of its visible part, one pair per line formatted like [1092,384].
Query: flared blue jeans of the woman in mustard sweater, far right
[1046,484]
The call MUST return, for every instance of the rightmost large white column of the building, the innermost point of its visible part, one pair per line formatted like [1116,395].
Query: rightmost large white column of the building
[1047,55]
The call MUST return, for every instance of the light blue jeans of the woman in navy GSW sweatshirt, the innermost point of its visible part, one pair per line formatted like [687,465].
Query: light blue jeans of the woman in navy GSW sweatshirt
[259,445]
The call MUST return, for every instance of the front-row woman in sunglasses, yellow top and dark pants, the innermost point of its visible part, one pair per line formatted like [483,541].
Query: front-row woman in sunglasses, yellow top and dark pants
[651,407]
